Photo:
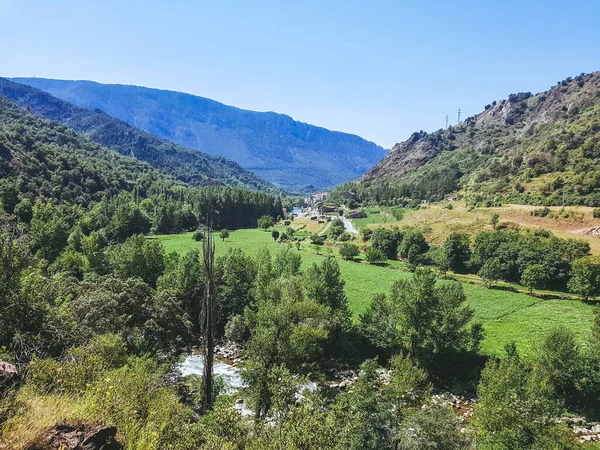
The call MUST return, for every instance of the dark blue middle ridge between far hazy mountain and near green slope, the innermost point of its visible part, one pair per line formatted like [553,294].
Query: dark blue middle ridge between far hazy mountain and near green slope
[190,166]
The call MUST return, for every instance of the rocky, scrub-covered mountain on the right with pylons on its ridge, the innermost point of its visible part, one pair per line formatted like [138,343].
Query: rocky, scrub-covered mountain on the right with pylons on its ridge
[538,149]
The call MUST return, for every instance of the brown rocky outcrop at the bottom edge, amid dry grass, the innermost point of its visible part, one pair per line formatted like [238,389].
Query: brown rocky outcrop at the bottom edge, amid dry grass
[79,436]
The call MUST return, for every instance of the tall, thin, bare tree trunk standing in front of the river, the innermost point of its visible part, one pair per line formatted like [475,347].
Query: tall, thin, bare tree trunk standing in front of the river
[209,313]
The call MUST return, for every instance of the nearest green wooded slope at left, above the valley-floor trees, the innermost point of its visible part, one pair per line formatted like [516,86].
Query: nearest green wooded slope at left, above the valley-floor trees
[44,159]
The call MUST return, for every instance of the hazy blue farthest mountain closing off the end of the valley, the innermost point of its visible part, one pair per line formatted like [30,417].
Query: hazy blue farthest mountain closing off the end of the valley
[291,154]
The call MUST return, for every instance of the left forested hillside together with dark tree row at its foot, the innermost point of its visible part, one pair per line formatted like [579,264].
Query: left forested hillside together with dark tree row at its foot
[43,161]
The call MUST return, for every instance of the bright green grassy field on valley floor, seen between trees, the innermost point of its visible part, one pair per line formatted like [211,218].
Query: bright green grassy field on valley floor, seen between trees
[507,316]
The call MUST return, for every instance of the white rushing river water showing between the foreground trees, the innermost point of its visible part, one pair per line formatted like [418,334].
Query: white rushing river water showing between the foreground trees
[231,376]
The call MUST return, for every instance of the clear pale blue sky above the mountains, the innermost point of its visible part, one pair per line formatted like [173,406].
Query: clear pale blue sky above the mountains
[380,69]
